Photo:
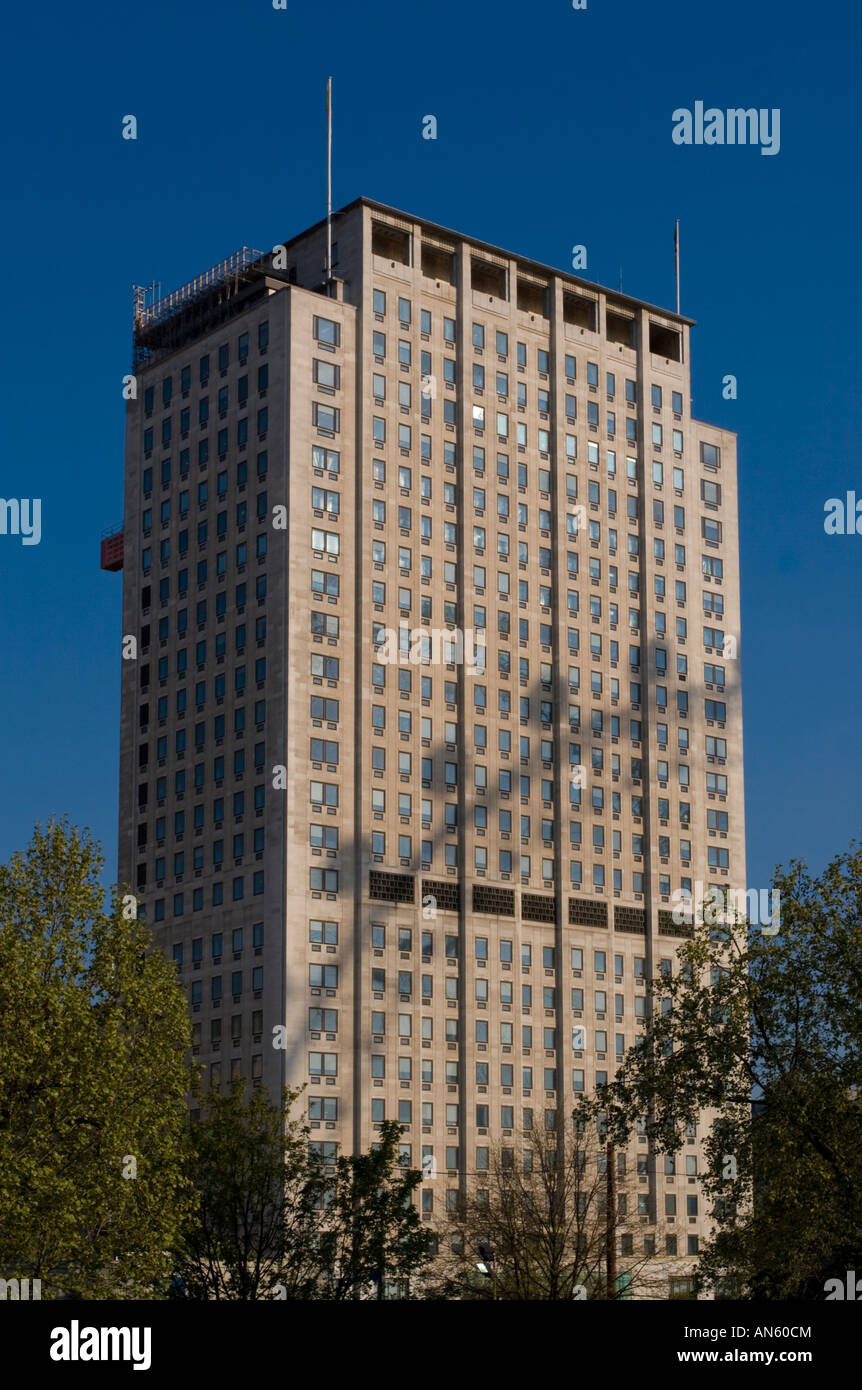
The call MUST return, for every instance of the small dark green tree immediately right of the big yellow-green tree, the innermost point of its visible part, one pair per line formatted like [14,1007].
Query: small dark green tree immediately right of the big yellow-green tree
[252,1232]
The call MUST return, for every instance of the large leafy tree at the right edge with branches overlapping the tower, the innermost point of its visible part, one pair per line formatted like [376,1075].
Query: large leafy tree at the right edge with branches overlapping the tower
[765,1032]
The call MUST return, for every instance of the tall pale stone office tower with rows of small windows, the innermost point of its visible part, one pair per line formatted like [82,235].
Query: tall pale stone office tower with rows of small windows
[428,865]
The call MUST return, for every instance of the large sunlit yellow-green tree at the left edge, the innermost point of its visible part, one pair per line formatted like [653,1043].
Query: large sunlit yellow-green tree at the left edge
[92,1079]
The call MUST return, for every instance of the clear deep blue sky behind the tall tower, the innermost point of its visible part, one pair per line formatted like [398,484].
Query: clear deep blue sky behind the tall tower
[554,129]
